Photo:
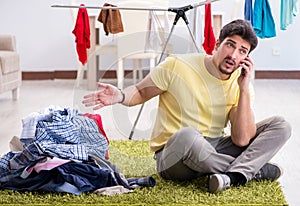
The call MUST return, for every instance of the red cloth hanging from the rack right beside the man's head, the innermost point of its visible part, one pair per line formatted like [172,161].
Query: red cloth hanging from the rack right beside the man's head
[209,37]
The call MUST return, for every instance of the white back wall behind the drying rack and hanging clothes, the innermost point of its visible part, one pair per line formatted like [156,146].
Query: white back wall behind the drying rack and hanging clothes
[45,41]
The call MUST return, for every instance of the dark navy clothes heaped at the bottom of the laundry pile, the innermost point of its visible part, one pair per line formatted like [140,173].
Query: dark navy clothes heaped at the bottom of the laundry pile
[83,176]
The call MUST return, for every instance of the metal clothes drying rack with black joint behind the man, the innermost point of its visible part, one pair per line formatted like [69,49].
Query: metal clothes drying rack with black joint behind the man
[180,13]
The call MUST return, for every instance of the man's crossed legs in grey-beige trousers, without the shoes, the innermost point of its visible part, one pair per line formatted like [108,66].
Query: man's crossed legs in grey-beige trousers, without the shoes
[188,154]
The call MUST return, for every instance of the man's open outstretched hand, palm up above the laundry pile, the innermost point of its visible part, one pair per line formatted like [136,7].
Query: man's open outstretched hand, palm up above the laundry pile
[107,95]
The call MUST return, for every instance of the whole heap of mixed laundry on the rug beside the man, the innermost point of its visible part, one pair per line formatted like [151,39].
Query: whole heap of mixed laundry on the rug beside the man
[61,150]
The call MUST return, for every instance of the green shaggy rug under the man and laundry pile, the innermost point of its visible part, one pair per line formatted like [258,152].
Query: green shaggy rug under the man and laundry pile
[134,159]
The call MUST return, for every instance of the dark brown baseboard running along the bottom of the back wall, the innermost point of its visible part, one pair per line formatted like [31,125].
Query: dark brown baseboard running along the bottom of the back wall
[26,75]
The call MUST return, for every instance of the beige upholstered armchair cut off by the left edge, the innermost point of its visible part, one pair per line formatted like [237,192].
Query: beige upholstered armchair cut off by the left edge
[10,74]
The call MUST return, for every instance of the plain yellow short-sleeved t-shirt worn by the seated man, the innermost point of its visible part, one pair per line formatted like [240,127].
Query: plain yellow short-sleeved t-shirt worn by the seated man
[192,97]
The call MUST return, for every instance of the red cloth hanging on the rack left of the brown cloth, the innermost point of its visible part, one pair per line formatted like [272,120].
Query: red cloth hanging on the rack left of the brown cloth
[82,34]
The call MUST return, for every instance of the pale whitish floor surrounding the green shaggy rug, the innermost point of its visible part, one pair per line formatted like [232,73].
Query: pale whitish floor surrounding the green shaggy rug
[273,97]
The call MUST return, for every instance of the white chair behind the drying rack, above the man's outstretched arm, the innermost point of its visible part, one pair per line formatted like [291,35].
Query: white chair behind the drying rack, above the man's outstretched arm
[131,43]
